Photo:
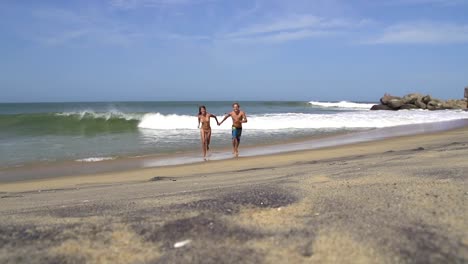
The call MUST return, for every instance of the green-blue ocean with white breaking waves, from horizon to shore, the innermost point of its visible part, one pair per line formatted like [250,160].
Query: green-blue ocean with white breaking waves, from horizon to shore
[36,133]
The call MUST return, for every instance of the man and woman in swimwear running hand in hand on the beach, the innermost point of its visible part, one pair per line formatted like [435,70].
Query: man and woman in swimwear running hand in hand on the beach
[238,117]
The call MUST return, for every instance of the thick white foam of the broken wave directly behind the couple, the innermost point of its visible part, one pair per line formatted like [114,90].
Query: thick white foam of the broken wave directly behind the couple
[339,120]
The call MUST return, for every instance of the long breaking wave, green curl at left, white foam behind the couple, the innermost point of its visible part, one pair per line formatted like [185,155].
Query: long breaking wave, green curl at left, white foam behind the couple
[89,123]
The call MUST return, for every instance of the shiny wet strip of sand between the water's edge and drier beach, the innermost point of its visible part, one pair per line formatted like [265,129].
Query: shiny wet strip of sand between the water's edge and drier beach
[43,171]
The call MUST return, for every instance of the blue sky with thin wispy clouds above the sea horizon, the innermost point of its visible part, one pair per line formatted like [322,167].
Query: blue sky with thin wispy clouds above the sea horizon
[231,50]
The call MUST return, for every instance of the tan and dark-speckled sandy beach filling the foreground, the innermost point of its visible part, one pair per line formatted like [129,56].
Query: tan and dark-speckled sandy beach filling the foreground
[397,200]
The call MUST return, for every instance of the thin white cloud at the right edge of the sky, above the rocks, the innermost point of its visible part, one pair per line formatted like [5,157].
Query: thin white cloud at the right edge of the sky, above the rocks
[423,33]
